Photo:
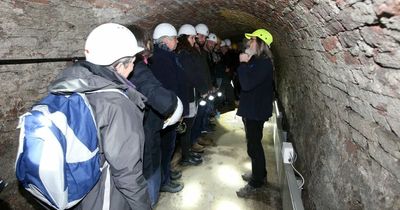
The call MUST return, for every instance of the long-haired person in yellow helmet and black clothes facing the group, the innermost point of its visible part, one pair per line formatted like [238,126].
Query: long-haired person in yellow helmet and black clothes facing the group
[255,106]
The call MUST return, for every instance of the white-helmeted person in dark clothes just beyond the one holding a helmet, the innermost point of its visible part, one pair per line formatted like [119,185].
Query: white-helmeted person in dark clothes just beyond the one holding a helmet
[167,71]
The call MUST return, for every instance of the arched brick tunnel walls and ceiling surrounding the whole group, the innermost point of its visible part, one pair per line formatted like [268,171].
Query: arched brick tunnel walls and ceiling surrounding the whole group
[337,77]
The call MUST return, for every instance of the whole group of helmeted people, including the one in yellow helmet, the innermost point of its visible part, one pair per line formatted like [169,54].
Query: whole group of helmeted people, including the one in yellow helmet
[162,82]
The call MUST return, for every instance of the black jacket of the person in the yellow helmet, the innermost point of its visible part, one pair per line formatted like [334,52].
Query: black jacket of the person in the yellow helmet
[257,89]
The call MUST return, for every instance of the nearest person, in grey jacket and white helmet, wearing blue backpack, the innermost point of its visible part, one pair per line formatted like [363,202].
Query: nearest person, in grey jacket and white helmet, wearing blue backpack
[110,51]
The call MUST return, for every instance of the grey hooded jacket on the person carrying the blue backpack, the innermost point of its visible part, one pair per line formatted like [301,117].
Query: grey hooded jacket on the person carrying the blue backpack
[119,118]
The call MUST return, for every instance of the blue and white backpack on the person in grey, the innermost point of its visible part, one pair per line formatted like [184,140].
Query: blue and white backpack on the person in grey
[59,155]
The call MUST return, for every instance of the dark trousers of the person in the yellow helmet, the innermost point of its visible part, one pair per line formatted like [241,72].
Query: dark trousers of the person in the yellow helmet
[254,133]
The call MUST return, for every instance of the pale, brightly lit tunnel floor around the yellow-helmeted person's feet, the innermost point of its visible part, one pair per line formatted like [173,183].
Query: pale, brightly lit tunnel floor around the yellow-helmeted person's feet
[213,184]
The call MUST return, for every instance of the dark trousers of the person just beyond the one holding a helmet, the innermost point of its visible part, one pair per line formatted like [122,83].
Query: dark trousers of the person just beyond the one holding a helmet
[168,137]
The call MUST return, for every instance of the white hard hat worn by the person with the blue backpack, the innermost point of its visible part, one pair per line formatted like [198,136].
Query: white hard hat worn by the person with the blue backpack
[109,42]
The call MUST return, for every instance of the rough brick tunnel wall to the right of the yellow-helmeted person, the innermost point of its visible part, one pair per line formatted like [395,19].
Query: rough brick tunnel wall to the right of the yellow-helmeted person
[338,81]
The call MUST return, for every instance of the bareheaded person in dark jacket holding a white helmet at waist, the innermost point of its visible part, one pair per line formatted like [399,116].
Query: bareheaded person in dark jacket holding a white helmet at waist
[161,103]
